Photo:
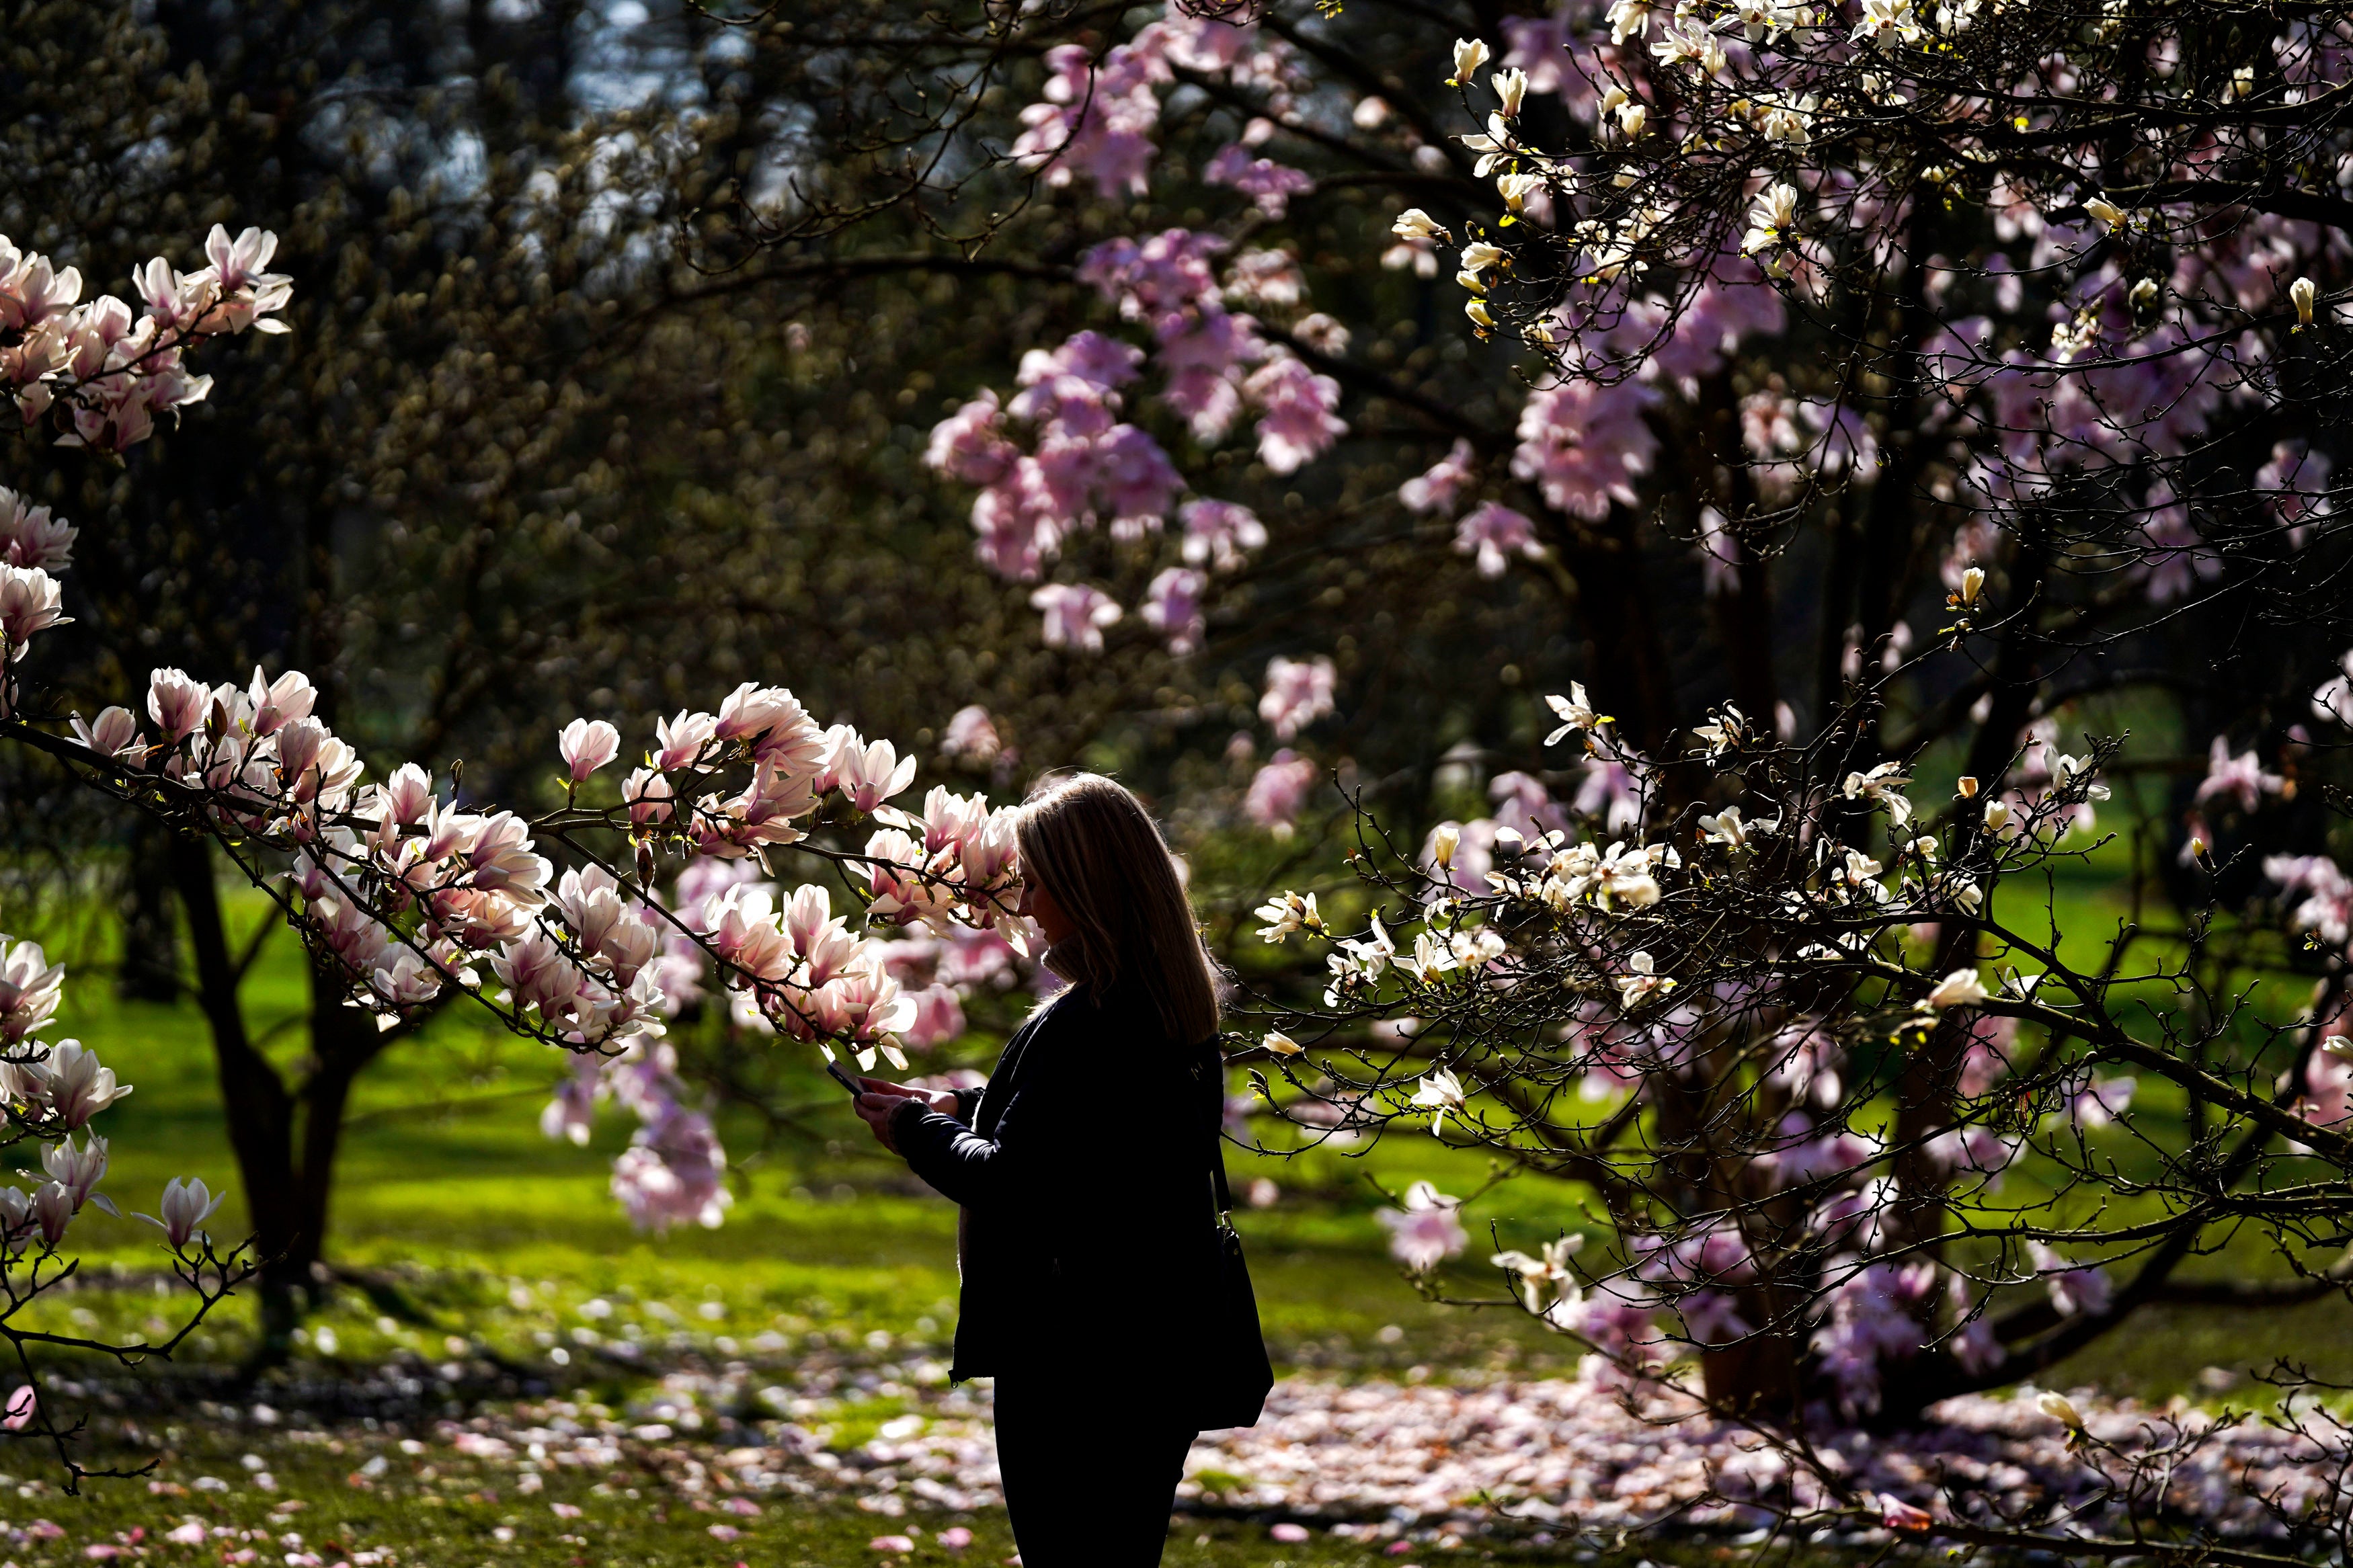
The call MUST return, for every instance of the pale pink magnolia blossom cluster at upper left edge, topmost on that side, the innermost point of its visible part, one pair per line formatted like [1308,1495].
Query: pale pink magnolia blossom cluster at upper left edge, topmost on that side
[109,368]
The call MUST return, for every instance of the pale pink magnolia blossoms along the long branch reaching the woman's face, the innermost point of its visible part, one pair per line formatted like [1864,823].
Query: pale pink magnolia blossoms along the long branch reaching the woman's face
[415,892]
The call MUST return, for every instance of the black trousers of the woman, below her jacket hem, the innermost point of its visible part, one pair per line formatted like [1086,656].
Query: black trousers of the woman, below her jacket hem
[1088,1475]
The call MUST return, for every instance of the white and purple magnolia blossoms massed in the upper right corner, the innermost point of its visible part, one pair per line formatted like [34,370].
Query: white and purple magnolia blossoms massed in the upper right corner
[2093,340]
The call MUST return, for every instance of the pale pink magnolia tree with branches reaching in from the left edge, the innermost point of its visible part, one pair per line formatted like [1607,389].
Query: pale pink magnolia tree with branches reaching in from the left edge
[413,894]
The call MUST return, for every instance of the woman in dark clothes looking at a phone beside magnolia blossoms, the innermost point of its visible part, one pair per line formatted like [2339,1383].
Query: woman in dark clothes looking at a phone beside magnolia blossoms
[1088,1235]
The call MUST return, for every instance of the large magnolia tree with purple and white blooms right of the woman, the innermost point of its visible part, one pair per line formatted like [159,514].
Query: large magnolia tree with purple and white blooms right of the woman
[1973,373]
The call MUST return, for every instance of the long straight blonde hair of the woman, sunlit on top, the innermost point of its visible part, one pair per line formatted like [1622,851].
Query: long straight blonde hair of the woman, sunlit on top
[1093,845]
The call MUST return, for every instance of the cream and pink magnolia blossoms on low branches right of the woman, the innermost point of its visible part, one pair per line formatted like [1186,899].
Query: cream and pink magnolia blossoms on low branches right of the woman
[1568,927]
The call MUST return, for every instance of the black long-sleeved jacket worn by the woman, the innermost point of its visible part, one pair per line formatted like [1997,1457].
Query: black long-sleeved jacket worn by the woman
[1088,1233]
